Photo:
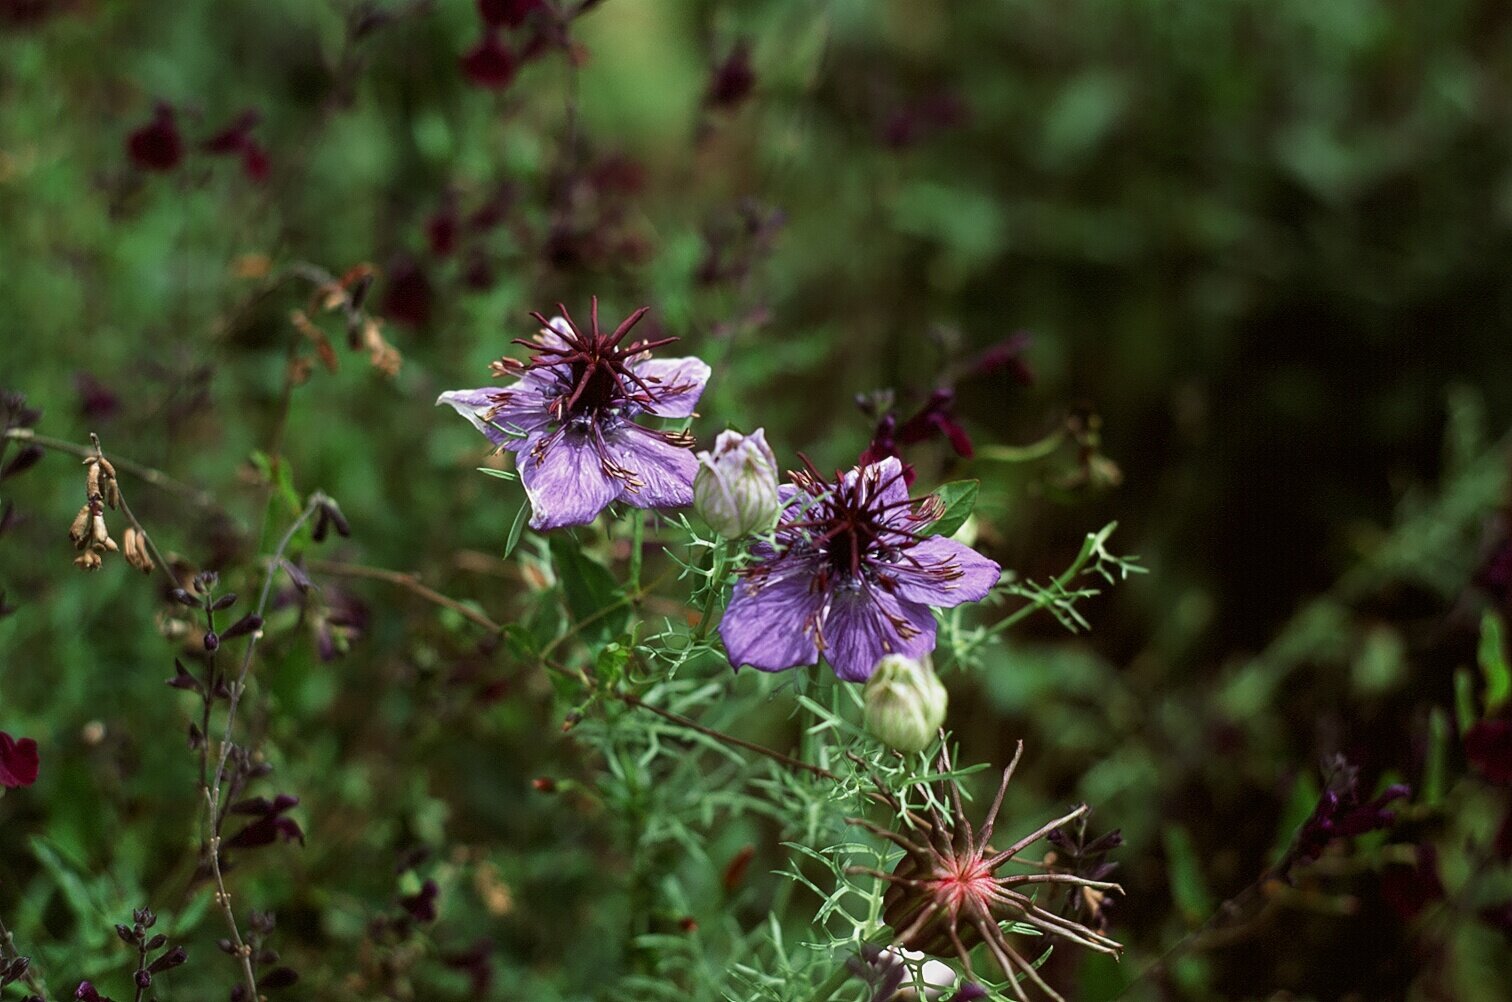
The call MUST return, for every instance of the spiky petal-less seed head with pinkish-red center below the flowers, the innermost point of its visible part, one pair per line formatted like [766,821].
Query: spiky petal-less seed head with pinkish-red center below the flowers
[946,894]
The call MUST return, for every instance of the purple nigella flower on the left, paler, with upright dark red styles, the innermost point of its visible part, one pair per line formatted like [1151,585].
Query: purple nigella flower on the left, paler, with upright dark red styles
[572,421]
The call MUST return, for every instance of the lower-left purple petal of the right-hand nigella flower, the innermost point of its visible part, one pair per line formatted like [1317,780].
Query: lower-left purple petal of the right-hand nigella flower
[770,622]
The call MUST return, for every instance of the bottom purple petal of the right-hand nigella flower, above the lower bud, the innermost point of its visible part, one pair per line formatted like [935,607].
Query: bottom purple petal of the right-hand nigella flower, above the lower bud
[866,625]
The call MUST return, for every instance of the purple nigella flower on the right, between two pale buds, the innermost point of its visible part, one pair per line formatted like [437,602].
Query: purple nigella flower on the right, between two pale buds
[852,577]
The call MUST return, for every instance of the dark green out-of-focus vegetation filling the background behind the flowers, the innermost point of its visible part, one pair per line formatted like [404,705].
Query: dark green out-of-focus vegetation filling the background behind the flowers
[1263,244]
